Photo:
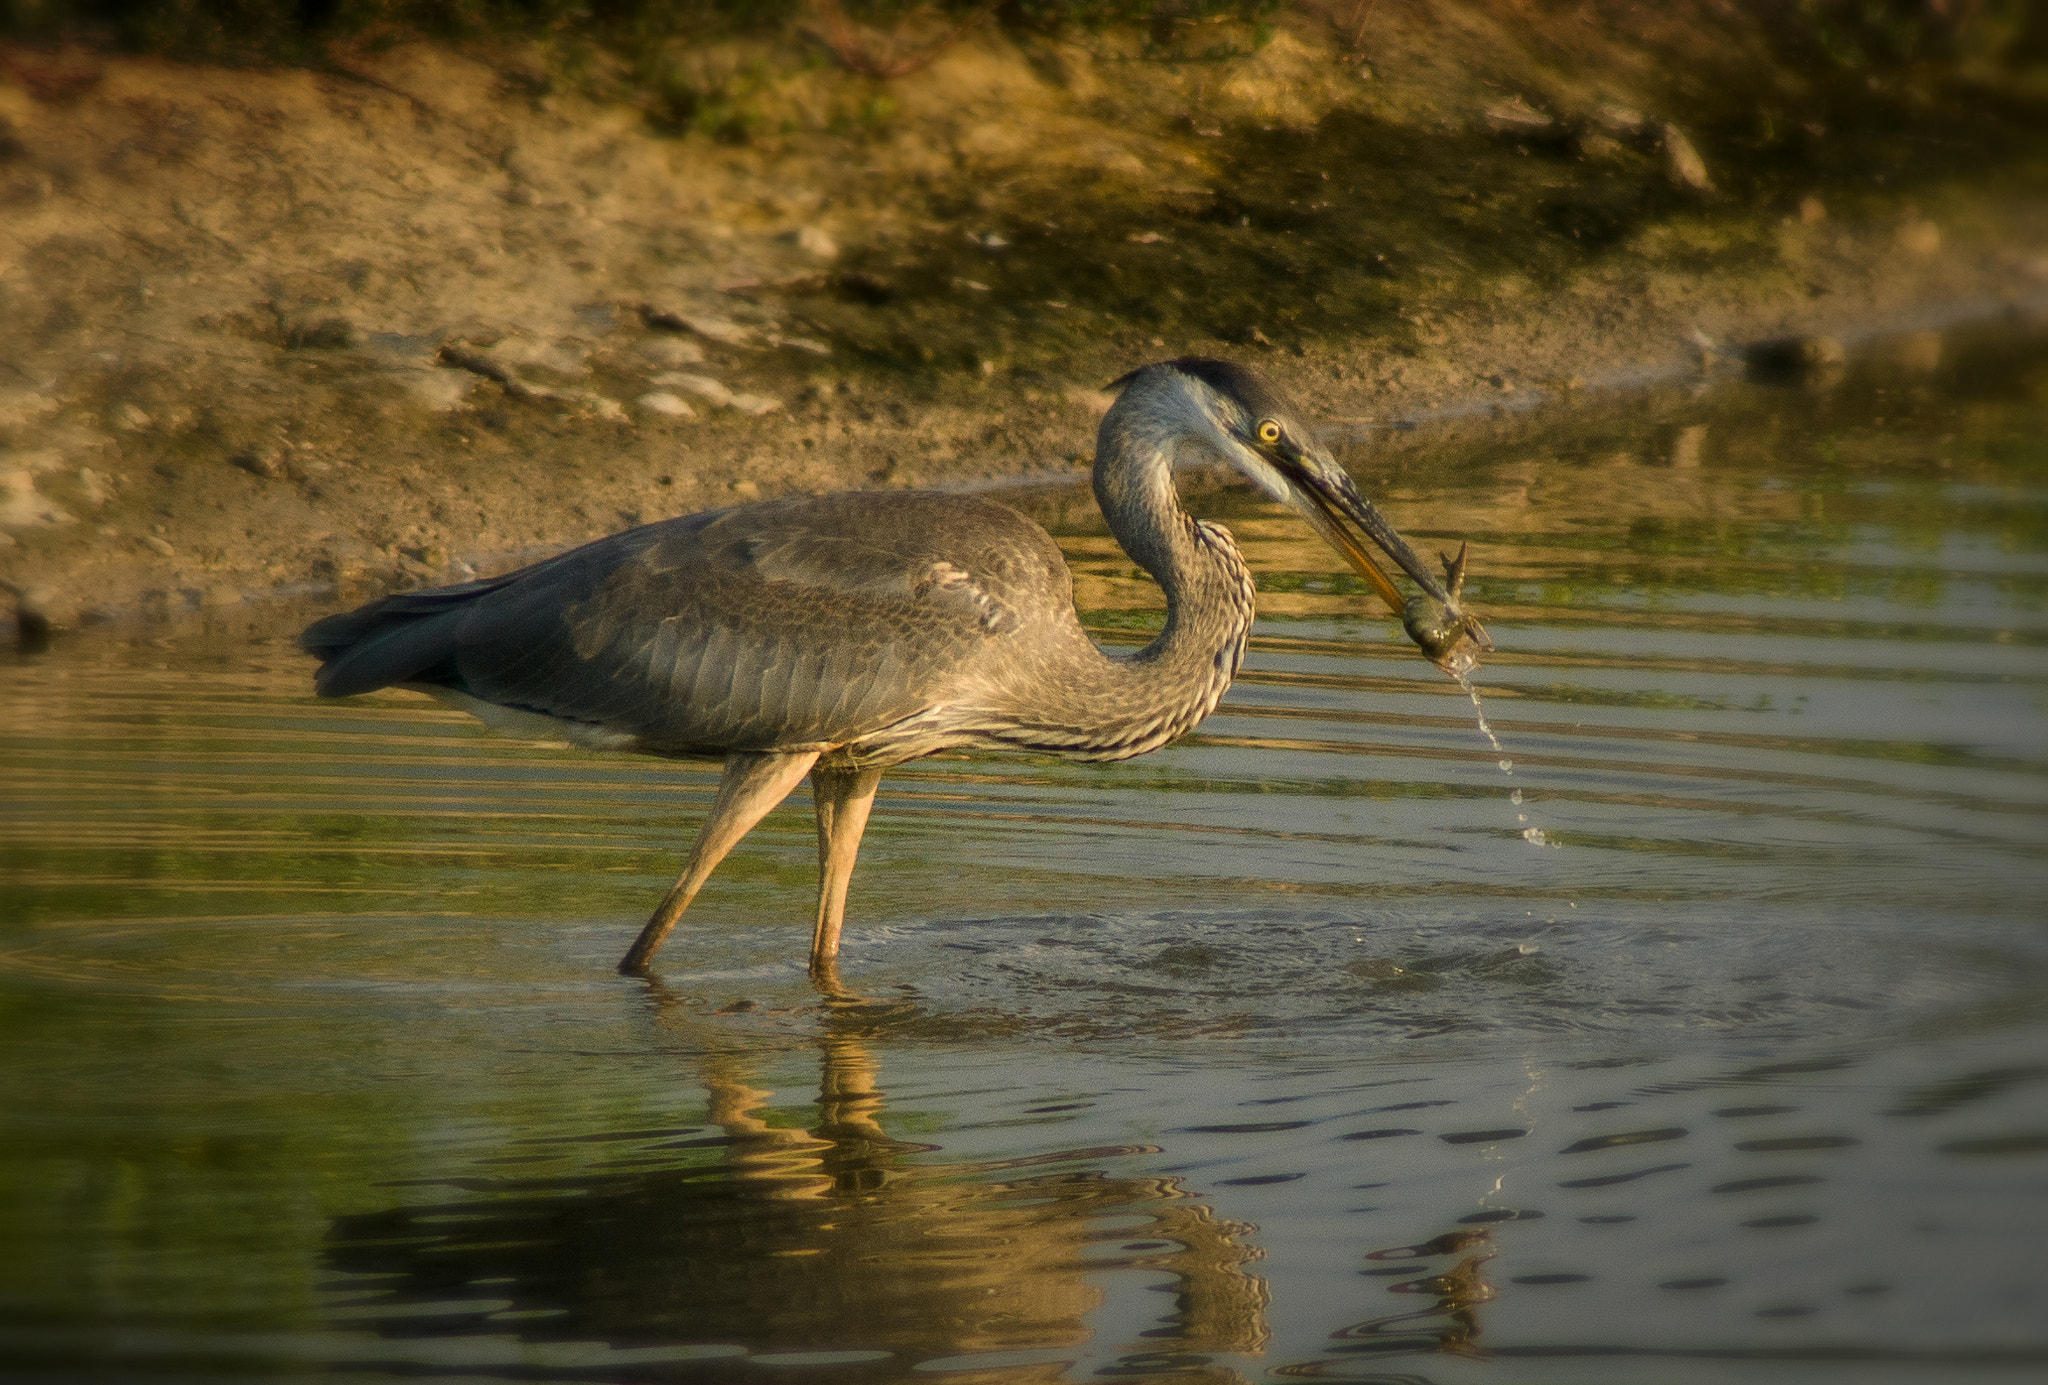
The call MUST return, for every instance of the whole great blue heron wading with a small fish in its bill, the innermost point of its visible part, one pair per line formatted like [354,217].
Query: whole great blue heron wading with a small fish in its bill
[837,636]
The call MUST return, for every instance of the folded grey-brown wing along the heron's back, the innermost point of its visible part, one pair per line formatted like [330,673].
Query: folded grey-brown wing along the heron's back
[787,624]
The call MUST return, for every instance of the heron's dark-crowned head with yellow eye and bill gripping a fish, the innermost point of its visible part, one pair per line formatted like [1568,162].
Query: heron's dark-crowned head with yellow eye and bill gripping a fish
[1244,419]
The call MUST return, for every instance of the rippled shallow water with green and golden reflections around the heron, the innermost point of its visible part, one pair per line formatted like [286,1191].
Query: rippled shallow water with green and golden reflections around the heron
[1277,1054]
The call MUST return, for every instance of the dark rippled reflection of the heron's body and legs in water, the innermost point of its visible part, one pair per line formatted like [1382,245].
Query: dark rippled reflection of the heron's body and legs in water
[837,1239]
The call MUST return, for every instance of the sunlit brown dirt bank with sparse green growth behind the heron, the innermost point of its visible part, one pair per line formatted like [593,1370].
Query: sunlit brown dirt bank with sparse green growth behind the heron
[431,310]
